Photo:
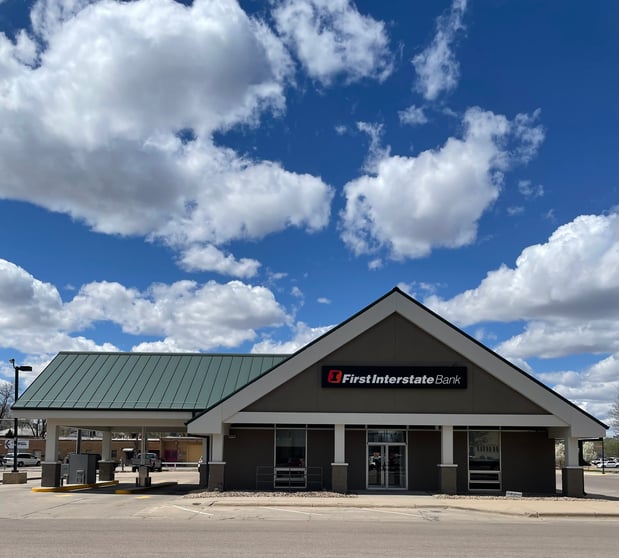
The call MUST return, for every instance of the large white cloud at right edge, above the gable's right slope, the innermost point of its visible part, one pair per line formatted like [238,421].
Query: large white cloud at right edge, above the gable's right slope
[573,276]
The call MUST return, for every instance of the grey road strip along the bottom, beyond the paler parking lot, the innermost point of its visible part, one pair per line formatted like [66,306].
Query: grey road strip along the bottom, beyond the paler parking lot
[429,535]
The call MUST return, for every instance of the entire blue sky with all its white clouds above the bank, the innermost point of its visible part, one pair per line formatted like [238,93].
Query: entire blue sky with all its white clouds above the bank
[240,177]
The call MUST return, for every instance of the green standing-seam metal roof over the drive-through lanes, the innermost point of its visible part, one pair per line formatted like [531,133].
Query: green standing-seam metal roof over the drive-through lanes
[143,381]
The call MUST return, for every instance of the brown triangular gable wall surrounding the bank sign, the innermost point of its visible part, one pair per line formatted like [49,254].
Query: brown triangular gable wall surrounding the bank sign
[395,341]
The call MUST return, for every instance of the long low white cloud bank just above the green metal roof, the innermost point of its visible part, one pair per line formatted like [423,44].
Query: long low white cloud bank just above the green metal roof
[184,315]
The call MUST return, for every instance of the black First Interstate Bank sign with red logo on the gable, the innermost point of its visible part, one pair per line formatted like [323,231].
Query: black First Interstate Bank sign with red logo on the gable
[436,377]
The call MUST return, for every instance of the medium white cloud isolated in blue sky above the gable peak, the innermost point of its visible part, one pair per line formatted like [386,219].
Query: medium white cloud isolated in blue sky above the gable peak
[414,204]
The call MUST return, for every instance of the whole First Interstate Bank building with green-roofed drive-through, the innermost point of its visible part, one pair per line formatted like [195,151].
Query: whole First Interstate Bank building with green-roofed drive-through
[395,398]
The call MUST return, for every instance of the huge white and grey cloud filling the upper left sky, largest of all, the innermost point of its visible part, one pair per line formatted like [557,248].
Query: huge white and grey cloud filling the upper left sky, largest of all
[113,124]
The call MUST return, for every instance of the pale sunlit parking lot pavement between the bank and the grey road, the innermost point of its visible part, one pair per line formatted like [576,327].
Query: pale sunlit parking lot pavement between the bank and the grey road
[185,500]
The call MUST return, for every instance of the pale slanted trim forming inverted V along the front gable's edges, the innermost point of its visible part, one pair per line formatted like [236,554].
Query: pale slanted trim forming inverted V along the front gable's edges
[582,425]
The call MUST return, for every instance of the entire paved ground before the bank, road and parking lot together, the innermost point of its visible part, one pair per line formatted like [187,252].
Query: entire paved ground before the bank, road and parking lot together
[181,520]
